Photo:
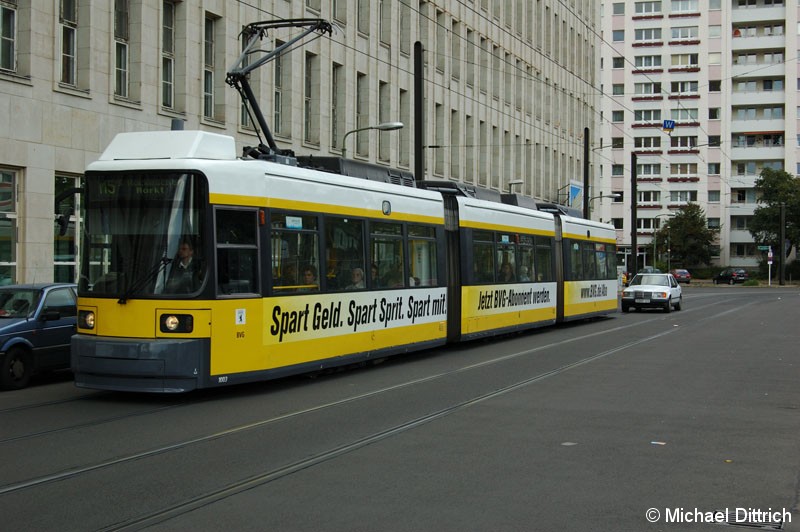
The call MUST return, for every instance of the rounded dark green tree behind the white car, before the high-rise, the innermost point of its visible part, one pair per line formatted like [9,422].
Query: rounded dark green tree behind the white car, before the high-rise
[688,236]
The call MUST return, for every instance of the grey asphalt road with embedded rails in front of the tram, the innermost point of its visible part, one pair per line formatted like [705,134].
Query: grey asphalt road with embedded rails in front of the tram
[592,426]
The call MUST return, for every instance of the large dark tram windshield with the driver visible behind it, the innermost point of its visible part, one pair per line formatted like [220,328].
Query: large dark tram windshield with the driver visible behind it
[142,235]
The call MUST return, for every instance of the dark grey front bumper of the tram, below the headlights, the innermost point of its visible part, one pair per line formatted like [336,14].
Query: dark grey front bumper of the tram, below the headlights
[140,365]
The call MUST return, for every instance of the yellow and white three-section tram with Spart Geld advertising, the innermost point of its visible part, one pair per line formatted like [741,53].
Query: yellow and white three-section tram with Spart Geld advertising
[203,269]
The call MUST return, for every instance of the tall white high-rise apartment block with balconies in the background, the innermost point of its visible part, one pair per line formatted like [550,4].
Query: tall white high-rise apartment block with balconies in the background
[723,74]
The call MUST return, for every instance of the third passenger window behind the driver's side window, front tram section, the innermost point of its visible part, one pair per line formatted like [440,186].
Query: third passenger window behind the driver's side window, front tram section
[386,255]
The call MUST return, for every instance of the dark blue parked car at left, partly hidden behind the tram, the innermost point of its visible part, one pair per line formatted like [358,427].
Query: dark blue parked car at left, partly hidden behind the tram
[36,324]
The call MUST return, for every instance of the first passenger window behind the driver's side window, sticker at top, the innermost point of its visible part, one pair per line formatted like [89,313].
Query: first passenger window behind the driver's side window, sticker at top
[295,253]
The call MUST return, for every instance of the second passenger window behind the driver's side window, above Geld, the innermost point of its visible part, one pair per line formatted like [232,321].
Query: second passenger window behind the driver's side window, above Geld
[344,249]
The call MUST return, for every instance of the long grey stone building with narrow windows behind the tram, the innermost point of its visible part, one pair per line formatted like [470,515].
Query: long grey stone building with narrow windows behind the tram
[510,86]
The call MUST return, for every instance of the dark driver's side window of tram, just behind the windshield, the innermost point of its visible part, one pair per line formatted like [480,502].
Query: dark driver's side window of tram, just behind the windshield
[237,252]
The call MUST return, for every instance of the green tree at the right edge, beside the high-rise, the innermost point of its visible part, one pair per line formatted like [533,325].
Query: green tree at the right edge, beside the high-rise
[776,187]
